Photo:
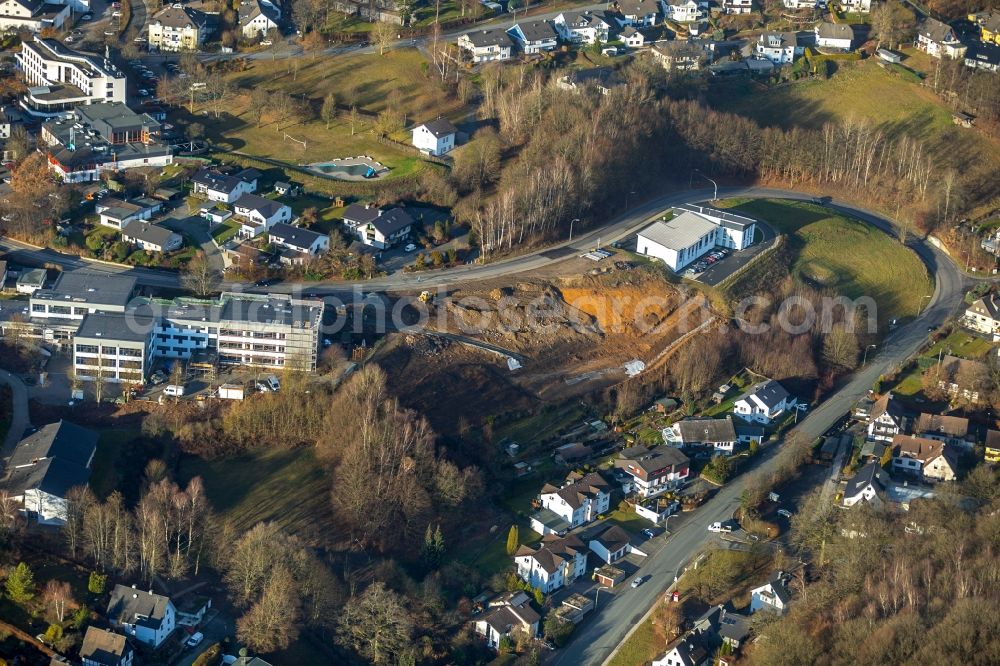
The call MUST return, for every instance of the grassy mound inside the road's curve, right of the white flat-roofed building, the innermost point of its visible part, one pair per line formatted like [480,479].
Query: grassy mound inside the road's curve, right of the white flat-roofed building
[847,257]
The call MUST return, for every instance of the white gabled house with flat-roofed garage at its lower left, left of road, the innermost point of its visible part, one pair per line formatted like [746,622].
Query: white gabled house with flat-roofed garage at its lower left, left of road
[577,502]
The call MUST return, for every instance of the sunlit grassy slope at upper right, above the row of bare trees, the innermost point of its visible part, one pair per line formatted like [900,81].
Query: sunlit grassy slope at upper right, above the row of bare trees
[866,92]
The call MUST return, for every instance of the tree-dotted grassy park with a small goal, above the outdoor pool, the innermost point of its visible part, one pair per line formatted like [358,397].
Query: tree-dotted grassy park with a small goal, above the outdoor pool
[364,81]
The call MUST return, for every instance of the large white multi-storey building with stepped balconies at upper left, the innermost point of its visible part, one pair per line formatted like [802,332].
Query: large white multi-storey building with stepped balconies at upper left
[60,79]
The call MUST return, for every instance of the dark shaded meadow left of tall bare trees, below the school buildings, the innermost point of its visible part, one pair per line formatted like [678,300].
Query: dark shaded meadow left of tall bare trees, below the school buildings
[285,486]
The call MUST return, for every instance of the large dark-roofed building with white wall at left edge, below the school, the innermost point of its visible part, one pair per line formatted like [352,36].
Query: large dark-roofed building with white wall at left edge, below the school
[45,465]
